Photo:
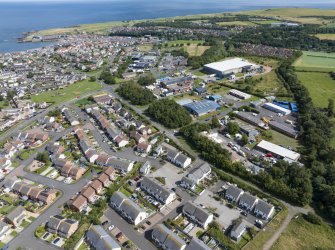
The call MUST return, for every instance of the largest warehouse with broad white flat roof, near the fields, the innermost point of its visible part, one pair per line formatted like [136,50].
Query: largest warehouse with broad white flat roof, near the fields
[229,67]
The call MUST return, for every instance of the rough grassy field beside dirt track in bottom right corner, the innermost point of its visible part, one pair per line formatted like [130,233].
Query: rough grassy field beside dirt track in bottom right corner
[302,235]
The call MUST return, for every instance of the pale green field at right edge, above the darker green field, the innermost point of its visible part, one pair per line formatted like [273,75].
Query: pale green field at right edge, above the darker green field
[316,61]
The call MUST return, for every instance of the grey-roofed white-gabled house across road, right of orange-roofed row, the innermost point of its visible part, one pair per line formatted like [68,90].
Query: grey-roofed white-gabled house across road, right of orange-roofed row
[127,208]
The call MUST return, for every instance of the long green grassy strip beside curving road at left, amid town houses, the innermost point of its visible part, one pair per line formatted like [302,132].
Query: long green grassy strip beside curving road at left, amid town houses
[68,93]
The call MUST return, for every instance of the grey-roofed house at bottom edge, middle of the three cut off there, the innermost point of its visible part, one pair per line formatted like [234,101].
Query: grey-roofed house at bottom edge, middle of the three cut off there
[166,239]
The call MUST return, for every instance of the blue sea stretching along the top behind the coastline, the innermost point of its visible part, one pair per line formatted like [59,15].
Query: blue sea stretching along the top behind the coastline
[19,16]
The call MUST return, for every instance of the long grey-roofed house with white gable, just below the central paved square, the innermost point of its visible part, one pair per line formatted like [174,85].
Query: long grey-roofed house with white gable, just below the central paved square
[155,189]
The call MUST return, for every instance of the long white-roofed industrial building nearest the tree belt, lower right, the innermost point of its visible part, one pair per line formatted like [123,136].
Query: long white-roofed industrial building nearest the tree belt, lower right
[278,151]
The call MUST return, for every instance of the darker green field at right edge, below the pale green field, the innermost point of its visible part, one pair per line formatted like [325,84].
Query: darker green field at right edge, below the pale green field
[320,85]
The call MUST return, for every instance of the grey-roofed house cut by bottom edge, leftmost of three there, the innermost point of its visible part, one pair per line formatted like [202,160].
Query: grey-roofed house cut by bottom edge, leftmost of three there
[98,238]
